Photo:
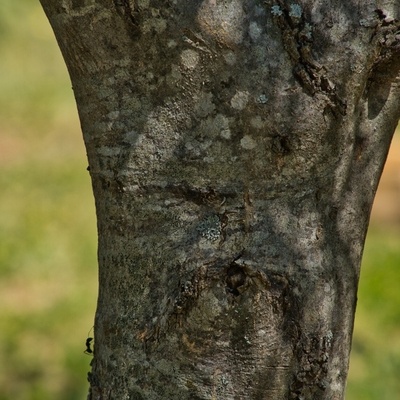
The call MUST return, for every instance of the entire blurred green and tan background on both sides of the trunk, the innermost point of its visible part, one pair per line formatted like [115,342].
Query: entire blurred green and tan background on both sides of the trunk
[48,271]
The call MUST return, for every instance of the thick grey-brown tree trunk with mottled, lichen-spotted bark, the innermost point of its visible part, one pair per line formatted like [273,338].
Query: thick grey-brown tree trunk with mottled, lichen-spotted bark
[235,147]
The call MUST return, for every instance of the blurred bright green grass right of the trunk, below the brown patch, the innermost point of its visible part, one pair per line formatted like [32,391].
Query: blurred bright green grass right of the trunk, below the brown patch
[375,358]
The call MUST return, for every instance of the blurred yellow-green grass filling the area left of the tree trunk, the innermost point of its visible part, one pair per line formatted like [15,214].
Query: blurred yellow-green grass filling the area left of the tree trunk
[48,282]
